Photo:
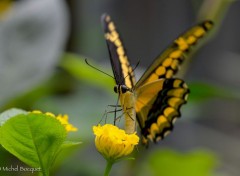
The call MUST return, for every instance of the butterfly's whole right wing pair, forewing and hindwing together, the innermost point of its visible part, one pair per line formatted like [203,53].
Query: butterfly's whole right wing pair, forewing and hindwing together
[159,96]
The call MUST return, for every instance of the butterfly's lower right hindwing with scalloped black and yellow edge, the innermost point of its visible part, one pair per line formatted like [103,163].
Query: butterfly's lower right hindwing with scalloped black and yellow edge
[158,105]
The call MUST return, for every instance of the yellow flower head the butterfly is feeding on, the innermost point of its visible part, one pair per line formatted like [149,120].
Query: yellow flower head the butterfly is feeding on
[113,143]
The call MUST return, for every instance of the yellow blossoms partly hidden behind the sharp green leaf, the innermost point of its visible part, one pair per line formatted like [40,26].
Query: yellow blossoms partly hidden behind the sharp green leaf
[62,118]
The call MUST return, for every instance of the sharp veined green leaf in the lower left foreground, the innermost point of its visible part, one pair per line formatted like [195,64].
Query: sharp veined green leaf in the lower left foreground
[33,138]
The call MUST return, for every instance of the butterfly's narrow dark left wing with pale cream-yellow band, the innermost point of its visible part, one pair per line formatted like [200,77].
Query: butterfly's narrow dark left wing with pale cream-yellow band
[122,69]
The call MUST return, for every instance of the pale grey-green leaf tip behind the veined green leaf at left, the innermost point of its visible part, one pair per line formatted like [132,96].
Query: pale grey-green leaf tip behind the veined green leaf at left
[4,116]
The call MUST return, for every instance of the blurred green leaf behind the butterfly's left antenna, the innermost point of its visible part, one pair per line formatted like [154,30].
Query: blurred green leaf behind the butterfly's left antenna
[77,67]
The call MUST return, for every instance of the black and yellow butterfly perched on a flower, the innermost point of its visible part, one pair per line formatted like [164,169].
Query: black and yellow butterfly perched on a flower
[155,100]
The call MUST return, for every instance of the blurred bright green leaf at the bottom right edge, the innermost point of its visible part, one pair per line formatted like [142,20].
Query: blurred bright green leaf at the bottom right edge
[171,163]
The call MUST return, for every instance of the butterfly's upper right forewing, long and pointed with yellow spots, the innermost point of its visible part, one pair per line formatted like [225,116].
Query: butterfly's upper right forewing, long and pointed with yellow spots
[167,63]
